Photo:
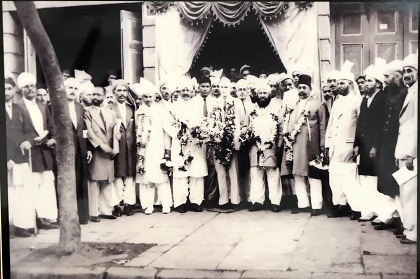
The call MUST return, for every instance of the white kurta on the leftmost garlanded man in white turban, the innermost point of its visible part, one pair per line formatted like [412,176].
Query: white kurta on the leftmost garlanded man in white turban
[157,119]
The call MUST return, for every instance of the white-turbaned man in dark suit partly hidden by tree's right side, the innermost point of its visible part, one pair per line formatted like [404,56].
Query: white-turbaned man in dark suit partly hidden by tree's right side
[81,154]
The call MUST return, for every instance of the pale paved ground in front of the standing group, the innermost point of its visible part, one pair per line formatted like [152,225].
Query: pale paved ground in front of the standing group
[241,245]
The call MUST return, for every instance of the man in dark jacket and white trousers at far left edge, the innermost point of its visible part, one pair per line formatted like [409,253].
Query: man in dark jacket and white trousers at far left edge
[21,202]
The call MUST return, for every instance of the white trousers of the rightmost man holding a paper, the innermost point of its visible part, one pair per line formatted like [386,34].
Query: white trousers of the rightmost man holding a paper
[408,196]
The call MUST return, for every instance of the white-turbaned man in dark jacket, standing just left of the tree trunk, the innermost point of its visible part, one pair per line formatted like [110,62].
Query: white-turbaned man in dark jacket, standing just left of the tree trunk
[39,140]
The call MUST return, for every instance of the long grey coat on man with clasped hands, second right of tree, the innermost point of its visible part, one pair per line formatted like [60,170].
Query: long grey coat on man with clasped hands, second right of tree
[100,124]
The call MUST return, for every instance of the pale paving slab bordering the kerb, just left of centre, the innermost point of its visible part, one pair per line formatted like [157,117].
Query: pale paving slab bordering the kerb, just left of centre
[192,257]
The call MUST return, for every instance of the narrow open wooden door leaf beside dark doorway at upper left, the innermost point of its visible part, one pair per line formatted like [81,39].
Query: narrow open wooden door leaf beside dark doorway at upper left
[131,46]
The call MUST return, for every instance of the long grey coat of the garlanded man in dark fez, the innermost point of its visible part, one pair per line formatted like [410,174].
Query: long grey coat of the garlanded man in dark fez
[304,150]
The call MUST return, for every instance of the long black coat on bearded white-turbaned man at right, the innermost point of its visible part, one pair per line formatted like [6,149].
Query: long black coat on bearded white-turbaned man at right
[368,132]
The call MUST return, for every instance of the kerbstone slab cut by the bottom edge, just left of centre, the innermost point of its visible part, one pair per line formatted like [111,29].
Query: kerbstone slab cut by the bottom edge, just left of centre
[198,274]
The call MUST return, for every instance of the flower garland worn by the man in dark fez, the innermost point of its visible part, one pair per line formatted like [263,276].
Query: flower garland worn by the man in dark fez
[290,138]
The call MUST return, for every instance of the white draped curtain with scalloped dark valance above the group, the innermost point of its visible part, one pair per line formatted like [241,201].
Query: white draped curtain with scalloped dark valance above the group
[291,27]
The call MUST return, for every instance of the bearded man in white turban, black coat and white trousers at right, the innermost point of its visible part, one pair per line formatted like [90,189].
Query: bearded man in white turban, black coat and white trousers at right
[368,140]
